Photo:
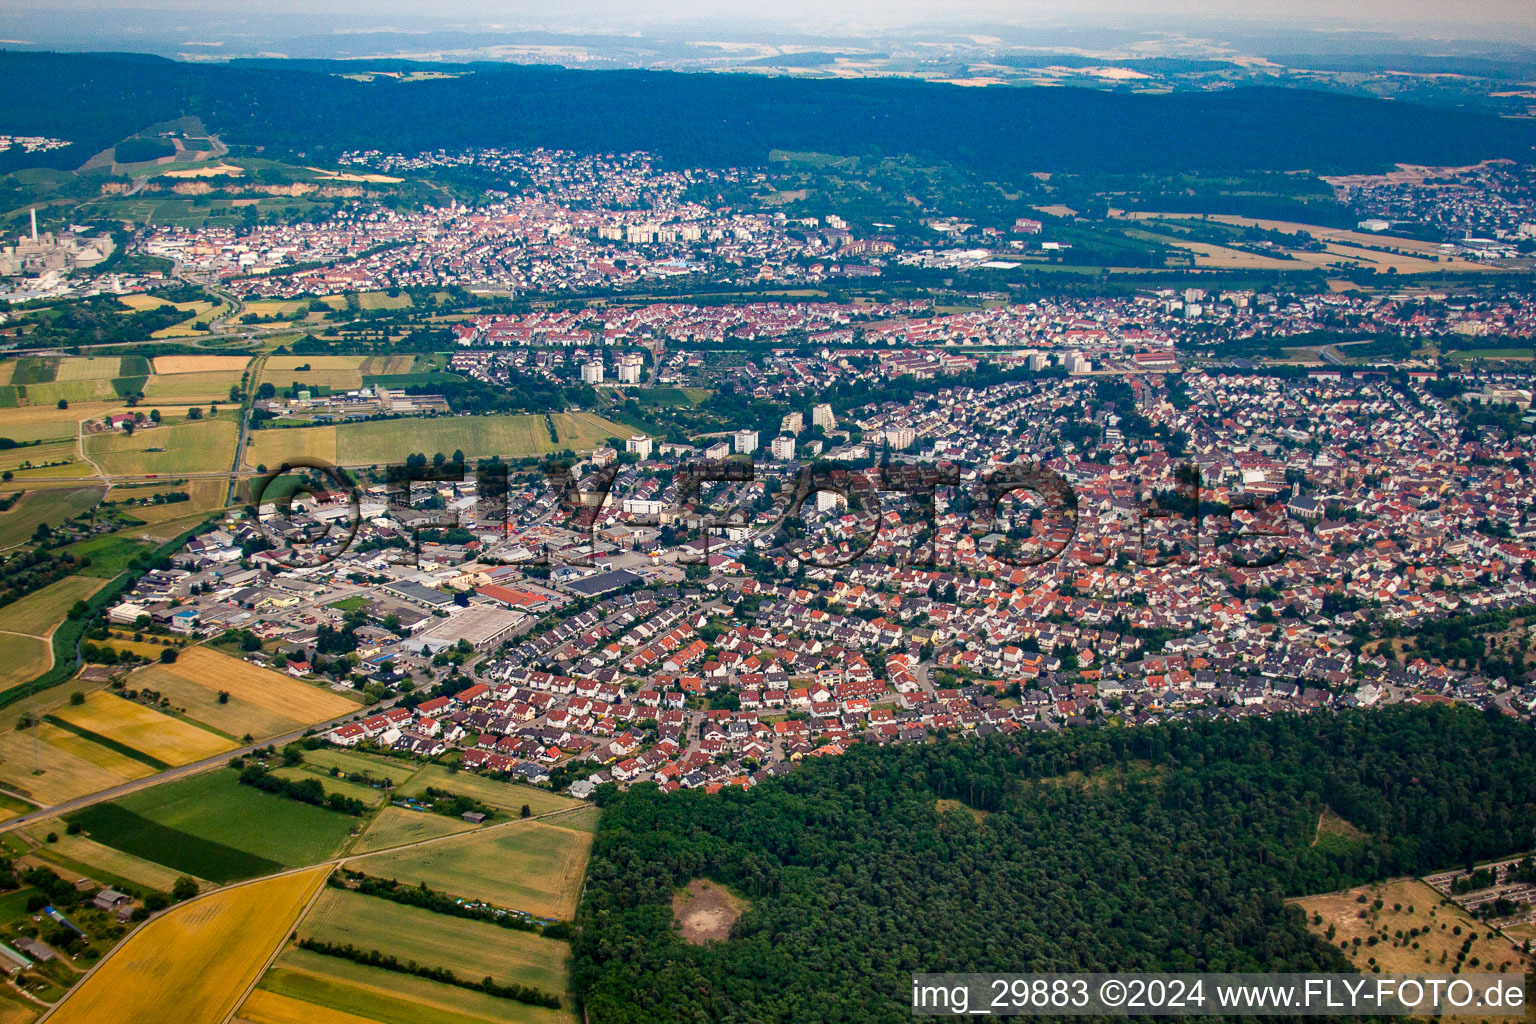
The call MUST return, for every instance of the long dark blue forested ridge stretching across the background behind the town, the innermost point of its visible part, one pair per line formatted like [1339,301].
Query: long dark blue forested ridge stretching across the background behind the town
[732,121]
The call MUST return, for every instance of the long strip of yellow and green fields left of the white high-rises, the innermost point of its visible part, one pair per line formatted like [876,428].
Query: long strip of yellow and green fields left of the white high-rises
[388,441]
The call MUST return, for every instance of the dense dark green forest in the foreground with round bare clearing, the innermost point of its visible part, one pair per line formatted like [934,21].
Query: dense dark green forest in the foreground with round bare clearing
[1116,850]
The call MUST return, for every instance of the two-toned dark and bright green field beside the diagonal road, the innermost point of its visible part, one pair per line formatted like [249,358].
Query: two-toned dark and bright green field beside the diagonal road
[214,828]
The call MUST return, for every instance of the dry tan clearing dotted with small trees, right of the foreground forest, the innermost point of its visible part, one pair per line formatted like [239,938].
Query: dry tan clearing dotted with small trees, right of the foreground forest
[1380,937]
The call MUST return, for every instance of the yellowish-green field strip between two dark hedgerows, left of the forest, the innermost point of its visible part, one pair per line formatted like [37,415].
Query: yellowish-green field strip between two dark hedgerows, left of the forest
[471,950]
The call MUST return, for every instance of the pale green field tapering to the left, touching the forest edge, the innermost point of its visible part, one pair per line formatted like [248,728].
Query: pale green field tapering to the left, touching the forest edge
[525,867]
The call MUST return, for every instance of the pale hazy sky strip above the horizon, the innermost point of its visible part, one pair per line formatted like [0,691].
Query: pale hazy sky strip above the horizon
[1460,19]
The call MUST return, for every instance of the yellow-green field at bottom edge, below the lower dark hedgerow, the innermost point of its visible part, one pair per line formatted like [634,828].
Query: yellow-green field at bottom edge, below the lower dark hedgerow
[385,997]
